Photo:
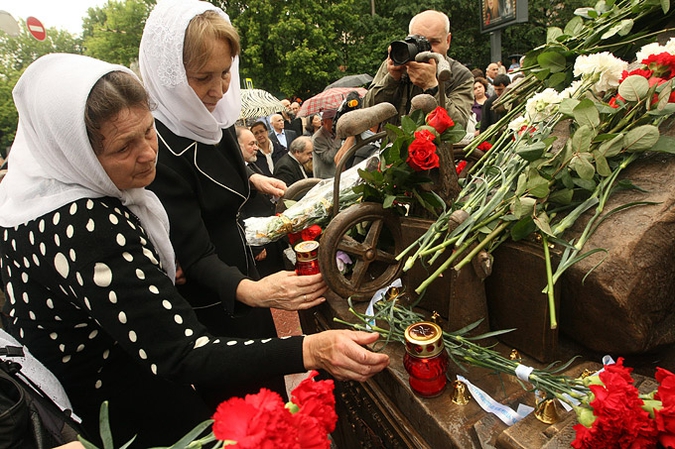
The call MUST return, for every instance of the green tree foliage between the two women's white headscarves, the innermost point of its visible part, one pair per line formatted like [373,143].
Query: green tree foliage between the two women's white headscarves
[113,32]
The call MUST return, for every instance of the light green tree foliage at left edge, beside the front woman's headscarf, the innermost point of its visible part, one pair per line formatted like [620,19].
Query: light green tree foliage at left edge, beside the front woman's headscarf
[17,54]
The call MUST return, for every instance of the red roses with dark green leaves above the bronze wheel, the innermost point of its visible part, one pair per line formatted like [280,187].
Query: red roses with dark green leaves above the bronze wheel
[402,176]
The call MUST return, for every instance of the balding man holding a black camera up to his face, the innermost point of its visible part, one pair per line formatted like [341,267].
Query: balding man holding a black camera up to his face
[397,80]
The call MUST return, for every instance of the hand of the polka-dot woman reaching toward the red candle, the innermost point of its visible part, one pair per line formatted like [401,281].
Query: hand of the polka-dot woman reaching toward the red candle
[341,353]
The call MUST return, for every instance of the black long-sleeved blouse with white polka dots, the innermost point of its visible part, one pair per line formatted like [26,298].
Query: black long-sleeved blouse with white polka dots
[86,293]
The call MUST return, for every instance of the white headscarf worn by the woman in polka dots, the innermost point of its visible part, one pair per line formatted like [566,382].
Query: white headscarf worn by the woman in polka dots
[52,162]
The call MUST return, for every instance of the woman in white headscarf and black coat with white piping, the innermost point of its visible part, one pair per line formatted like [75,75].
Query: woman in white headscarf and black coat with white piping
[189,64]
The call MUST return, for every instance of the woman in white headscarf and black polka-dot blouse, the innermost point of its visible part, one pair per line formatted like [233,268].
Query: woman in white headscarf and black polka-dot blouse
[88,268]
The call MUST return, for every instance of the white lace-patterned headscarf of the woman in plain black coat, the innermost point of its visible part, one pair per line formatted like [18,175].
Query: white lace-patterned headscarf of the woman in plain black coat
[161,63]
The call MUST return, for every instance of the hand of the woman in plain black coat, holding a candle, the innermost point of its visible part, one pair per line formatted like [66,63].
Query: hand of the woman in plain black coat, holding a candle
[283,290]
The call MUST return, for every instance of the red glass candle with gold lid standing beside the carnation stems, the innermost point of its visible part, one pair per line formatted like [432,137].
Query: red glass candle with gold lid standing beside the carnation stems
[425,359]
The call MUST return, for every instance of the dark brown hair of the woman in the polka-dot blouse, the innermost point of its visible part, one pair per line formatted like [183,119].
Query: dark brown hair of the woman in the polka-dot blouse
[113,93]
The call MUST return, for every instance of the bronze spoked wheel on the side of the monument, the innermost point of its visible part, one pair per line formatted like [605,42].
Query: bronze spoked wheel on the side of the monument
[371,236]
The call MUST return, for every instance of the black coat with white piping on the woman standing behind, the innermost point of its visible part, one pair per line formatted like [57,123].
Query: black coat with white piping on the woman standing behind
[203,188]
